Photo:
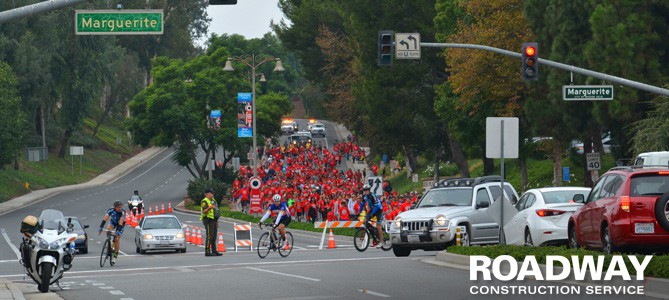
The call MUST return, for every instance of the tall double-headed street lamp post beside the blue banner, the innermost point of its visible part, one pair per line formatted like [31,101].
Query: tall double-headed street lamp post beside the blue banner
[253,61]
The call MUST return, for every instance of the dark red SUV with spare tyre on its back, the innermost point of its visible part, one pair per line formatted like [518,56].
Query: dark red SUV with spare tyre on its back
[628,207]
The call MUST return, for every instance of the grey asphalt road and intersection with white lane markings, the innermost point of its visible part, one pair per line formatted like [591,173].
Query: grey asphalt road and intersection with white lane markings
[308,273]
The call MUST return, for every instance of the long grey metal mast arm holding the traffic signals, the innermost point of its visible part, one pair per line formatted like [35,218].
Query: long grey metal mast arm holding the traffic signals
[569,68]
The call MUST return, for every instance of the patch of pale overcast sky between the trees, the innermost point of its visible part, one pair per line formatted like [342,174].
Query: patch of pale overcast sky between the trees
[249,18]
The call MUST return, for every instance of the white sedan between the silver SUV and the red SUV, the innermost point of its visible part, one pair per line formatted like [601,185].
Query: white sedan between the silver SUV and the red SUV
[542,216]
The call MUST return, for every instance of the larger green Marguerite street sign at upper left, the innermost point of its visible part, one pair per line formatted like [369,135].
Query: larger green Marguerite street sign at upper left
[118,22]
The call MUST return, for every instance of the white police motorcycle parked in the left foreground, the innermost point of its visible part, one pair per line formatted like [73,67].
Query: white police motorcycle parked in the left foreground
[47,249]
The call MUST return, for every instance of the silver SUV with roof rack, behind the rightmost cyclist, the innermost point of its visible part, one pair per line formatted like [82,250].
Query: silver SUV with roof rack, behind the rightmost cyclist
[450,203]
